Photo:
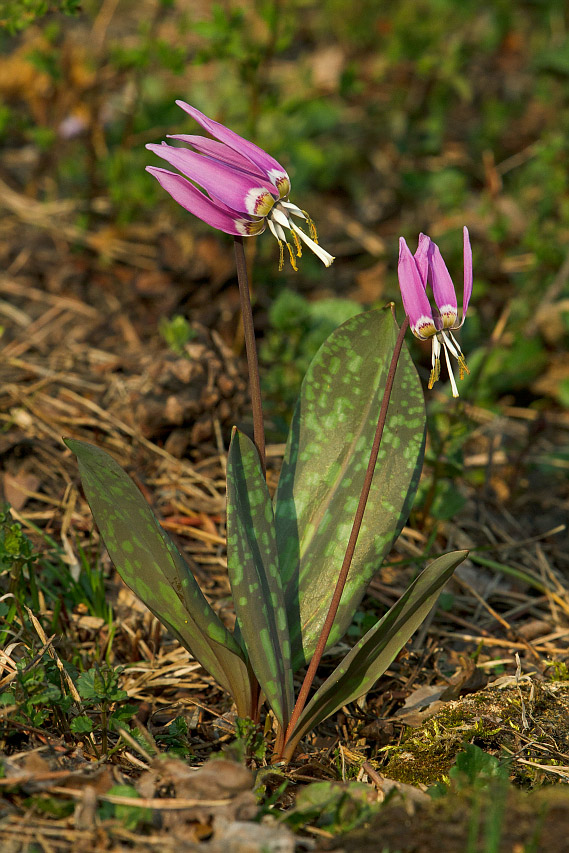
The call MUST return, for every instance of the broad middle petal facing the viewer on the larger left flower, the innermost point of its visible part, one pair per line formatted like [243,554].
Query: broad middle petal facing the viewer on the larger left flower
[241,192]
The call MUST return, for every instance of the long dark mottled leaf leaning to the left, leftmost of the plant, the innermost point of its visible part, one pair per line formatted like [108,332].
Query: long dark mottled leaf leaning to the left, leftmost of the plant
[151,565]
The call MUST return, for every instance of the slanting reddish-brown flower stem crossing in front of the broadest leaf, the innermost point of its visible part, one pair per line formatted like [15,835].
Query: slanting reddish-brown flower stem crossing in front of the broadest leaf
[334,604]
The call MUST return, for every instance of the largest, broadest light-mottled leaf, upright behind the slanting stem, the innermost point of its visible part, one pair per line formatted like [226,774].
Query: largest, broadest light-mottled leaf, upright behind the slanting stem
[324,466]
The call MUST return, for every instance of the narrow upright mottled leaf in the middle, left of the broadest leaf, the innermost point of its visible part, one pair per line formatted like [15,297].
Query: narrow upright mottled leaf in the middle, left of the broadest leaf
[253,565]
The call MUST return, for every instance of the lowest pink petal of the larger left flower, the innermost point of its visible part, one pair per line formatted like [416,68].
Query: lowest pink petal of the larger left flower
[190,198]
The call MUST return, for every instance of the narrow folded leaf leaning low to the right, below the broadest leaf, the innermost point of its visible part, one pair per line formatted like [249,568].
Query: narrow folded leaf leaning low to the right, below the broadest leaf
[371,656]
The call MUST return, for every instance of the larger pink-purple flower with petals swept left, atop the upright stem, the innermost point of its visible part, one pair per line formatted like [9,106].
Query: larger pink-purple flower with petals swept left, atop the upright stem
[245,188]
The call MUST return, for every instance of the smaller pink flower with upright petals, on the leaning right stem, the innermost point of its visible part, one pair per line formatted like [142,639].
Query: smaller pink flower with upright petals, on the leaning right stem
[415,271]
